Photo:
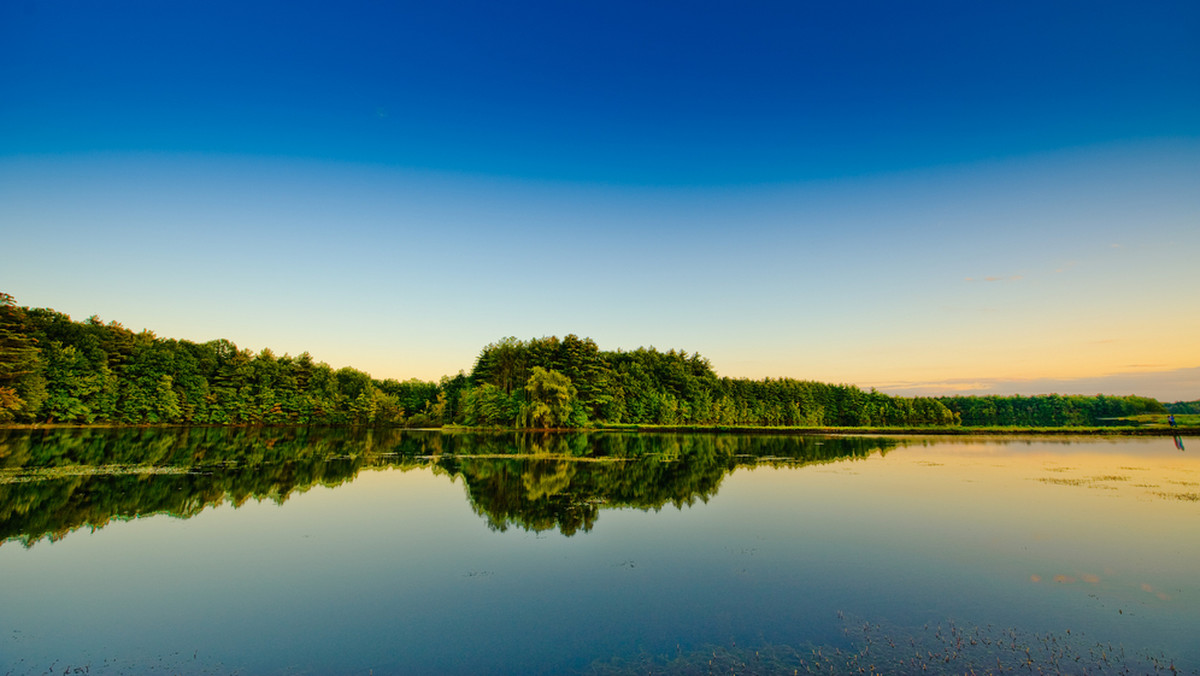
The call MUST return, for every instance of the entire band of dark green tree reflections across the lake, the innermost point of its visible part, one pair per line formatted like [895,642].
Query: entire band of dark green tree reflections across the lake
[56,482]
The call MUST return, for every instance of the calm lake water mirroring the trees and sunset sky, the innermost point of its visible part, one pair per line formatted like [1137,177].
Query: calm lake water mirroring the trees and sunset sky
[317,552]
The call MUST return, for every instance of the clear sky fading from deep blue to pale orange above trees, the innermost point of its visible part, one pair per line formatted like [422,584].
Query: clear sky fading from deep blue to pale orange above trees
[919,198]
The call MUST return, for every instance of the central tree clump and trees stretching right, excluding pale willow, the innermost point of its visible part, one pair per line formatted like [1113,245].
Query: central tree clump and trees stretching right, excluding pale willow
[649,387]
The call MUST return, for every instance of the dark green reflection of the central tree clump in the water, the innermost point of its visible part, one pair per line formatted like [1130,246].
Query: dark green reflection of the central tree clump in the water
[562,481]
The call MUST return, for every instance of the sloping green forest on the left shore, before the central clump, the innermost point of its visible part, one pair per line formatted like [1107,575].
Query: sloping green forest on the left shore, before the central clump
[57,370]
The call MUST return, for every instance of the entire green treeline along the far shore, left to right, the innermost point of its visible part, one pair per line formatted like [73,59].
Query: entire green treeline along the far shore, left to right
[57,370]
